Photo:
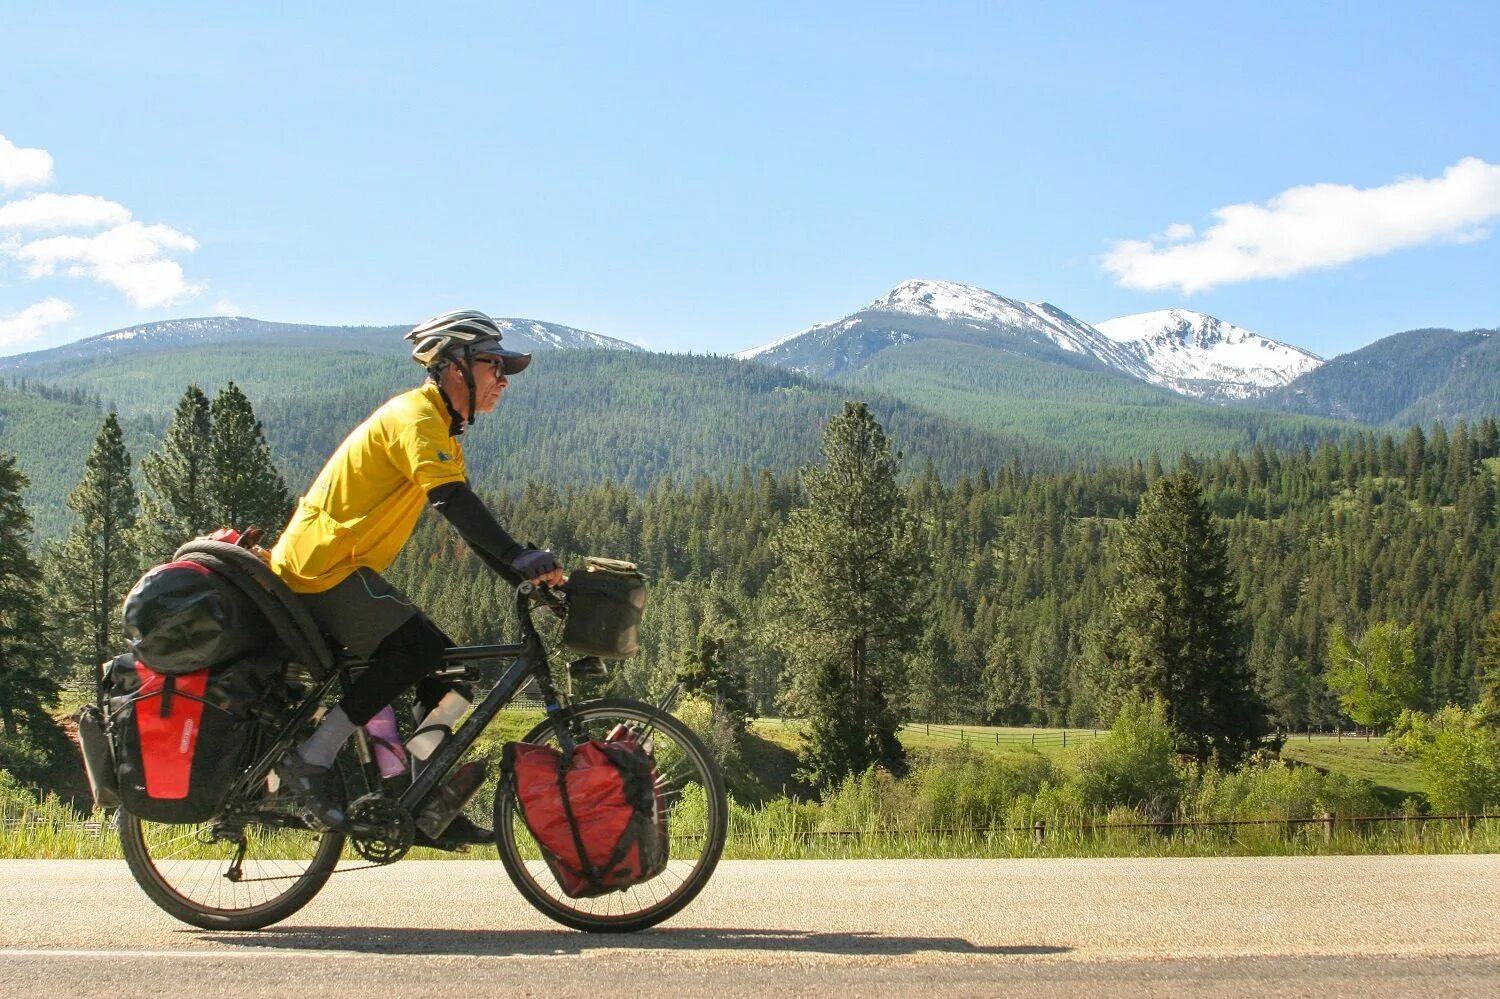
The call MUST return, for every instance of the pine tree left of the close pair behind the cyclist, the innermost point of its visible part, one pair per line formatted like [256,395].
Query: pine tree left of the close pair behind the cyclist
[100,560]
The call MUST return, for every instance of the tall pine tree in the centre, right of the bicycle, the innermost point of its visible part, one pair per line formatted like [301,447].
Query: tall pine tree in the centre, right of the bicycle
[850,583]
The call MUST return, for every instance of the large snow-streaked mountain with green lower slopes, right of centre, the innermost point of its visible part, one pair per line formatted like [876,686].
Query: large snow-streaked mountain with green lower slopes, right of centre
[1019,368]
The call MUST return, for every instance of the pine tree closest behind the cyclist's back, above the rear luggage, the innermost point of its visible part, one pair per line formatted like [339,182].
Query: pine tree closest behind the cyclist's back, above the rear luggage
[247,487]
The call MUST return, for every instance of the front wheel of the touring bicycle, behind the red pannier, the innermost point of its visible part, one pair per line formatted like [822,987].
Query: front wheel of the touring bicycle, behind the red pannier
[683,764]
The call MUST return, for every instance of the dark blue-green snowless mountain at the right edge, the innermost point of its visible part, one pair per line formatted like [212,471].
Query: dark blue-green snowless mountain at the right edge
[1414,377]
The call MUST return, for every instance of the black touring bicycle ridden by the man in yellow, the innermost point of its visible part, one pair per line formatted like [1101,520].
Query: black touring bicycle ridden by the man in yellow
[257,862]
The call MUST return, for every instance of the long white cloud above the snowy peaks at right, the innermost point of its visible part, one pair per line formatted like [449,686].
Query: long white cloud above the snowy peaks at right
[1312,227]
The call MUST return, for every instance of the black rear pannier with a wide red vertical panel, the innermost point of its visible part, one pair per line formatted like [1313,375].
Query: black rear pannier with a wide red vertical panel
[179,740]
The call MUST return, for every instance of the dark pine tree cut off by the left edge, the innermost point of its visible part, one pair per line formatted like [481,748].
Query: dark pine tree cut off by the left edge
[28,656]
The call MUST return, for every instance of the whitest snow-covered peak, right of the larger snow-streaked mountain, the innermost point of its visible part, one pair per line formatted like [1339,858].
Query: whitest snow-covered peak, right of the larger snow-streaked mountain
[1205,358]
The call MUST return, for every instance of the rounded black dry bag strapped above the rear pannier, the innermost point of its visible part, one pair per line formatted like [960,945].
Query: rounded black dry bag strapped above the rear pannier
[182,617]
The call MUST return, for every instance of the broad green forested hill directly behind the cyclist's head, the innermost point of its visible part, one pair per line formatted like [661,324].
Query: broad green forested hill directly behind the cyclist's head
[577,418]
